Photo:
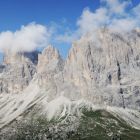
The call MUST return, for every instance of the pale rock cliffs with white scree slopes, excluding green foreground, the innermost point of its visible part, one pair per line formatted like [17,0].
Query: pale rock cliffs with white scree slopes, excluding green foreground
[102,72]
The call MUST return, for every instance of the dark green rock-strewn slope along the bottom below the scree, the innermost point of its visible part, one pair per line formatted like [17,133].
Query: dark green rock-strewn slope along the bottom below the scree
[92,125]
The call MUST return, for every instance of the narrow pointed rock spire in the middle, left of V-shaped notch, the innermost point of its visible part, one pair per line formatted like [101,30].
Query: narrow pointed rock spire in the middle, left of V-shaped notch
[49,65]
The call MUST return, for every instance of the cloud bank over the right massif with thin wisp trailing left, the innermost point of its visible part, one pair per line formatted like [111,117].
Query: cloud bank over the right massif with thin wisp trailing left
[117,15]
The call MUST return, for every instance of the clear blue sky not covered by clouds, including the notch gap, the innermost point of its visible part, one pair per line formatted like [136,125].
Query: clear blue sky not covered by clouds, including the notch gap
[14,13]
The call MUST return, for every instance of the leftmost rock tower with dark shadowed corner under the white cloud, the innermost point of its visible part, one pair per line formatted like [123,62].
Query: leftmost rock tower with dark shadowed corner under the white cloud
[18,70]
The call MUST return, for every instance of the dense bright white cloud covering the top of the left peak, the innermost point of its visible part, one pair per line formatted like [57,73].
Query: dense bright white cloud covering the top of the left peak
[28,38]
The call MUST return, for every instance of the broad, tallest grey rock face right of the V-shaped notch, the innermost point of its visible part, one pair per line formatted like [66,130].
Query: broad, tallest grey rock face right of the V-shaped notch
[108,72]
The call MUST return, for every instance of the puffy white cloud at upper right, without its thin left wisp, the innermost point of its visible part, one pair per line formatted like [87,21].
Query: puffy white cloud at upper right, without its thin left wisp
[112,14]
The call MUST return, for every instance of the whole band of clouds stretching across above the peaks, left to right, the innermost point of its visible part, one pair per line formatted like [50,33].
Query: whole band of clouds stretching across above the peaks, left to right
[117,15]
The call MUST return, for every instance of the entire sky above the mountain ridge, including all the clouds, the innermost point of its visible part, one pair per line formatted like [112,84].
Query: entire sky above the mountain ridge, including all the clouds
[25,23]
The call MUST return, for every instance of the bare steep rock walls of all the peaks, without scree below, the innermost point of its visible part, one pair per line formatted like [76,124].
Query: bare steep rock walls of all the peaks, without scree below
[103,71]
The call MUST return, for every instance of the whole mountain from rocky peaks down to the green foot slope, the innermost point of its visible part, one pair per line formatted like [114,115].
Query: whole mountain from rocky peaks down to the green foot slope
[96,88]
